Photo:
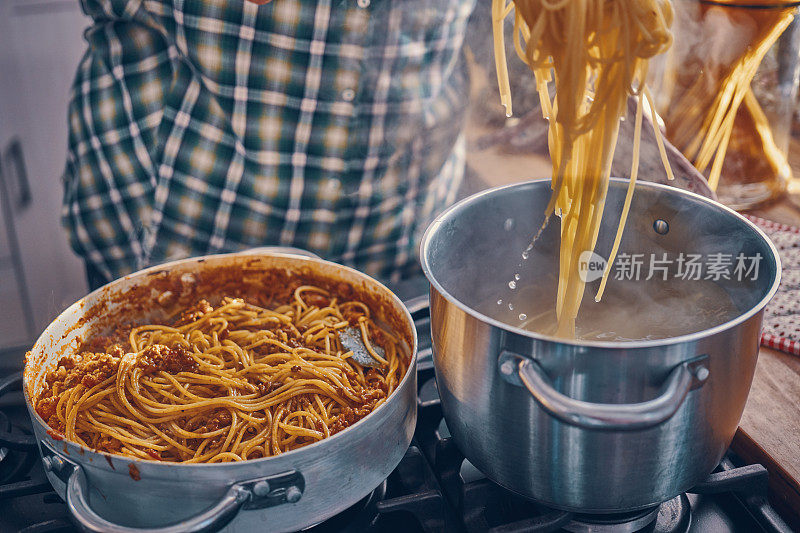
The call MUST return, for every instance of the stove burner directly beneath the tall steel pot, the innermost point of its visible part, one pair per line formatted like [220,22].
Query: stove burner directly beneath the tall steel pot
[673,516]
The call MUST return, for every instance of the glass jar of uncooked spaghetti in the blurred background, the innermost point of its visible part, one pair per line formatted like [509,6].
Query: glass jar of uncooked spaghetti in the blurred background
[726,92]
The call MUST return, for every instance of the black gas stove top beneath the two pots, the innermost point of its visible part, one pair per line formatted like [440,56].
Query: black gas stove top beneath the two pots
[433,489]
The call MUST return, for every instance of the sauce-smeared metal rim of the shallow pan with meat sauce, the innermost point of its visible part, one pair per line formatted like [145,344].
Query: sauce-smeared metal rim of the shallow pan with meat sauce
[263,460]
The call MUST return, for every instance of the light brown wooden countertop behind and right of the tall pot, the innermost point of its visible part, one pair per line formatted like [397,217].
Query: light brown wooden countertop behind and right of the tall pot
[769,432]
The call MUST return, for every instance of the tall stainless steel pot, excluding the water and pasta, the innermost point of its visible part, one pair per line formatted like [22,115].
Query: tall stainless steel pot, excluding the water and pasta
[597,427]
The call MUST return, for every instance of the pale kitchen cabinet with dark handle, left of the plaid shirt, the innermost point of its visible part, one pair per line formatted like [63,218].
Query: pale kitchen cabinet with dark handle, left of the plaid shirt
[40,45]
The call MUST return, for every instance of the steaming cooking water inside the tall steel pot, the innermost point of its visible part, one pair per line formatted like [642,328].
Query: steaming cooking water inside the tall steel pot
[629,310]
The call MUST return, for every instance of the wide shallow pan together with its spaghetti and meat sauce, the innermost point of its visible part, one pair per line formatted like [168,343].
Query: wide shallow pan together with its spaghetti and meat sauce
[231,390]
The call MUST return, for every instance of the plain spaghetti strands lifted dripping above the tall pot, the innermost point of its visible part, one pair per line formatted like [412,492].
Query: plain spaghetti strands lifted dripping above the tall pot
[595,53]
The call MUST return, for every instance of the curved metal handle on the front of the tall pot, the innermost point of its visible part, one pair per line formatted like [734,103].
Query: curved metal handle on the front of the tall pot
[685,377]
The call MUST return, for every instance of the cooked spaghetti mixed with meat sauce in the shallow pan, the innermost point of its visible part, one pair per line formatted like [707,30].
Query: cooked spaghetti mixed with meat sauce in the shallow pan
[226,383]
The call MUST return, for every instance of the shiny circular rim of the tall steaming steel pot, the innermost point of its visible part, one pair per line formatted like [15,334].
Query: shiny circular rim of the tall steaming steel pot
[449,213]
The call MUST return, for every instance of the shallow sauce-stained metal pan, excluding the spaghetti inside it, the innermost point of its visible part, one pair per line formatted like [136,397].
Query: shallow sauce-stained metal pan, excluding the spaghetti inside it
[288,492]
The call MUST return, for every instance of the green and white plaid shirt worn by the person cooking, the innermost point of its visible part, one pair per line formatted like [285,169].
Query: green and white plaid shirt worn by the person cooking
[216,125]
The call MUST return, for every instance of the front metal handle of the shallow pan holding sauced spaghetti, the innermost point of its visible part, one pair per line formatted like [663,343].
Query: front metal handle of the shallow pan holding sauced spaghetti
[255,493]
